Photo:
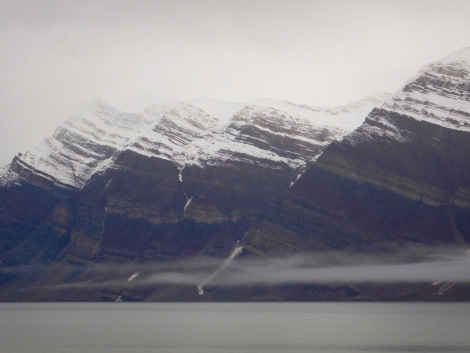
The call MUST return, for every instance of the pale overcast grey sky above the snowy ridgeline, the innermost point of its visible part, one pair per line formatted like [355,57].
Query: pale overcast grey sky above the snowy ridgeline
[57,56]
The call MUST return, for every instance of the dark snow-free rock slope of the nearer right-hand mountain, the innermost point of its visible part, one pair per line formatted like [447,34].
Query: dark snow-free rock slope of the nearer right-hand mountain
[376,194]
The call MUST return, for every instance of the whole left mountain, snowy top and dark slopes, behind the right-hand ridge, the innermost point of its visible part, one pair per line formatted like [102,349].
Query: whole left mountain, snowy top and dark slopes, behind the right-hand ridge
[178,180]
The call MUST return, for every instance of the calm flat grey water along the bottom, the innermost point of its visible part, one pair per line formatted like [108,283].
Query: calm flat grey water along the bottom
[234,327]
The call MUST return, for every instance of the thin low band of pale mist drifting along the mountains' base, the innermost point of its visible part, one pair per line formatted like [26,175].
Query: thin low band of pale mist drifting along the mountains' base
[412,265]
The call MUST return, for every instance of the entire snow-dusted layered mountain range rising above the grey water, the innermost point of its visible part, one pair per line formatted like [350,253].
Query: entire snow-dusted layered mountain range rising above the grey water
[169,203]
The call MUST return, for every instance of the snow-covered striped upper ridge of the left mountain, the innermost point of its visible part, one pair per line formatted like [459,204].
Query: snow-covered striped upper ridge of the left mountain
[201,131]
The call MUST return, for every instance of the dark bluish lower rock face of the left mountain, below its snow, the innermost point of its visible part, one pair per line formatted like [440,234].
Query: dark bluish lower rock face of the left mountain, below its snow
[141,210]
